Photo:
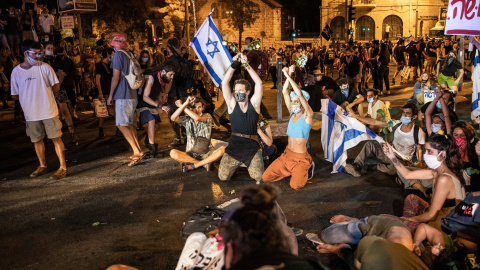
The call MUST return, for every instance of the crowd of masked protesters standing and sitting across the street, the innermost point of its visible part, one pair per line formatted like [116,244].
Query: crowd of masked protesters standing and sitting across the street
[430,149]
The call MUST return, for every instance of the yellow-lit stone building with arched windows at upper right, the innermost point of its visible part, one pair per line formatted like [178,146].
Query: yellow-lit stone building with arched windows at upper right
[405,17]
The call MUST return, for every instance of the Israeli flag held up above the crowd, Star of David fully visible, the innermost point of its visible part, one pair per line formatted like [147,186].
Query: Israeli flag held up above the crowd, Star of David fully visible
[208,45]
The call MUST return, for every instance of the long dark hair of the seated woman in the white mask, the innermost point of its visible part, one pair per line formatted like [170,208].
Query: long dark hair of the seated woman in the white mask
[453,160]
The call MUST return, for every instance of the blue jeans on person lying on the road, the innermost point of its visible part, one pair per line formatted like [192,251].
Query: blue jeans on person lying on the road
[344,232]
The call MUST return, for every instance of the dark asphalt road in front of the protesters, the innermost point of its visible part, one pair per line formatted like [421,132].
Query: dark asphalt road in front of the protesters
[106,213]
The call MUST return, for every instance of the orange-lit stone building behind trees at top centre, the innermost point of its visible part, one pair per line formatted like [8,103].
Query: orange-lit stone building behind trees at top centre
[267,27]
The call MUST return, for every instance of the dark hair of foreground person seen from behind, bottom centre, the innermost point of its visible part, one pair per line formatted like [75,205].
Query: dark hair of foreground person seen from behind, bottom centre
[256,225]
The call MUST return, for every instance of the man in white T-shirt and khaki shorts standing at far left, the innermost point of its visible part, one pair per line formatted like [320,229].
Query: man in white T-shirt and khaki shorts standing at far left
[34,83]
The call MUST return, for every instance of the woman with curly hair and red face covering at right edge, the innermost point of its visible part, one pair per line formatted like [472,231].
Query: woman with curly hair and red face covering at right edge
[464,135]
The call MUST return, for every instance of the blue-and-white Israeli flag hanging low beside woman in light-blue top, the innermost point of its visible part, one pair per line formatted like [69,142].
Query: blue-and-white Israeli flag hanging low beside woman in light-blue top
[340,133]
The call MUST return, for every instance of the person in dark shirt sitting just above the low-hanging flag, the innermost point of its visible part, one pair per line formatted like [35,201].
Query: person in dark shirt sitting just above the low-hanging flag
[348,98]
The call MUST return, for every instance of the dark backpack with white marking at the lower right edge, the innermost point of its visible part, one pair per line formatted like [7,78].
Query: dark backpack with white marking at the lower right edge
[465,217]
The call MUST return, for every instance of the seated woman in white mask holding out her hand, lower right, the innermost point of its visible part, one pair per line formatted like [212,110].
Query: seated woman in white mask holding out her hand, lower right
[445,168]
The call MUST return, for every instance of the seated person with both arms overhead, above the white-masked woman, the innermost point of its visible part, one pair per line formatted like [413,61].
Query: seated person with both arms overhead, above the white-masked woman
[440,123]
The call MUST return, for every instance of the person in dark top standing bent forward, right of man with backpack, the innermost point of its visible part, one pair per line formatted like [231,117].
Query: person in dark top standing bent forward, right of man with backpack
[151,102]
